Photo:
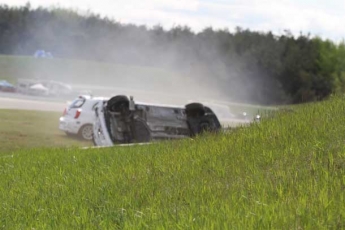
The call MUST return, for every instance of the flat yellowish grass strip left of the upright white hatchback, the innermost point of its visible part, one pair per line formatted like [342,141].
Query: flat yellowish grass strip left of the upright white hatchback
[29,129]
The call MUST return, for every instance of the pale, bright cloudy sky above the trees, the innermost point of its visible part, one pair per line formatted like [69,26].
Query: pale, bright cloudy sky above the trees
[317,17]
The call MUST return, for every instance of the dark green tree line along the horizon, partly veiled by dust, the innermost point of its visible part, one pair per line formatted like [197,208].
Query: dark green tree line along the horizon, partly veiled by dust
[258,66]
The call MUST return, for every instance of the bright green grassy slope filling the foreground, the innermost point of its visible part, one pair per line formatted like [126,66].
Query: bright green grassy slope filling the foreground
[286,172]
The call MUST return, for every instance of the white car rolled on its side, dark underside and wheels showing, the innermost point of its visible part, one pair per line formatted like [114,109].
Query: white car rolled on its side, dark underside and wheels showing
[121,120]
